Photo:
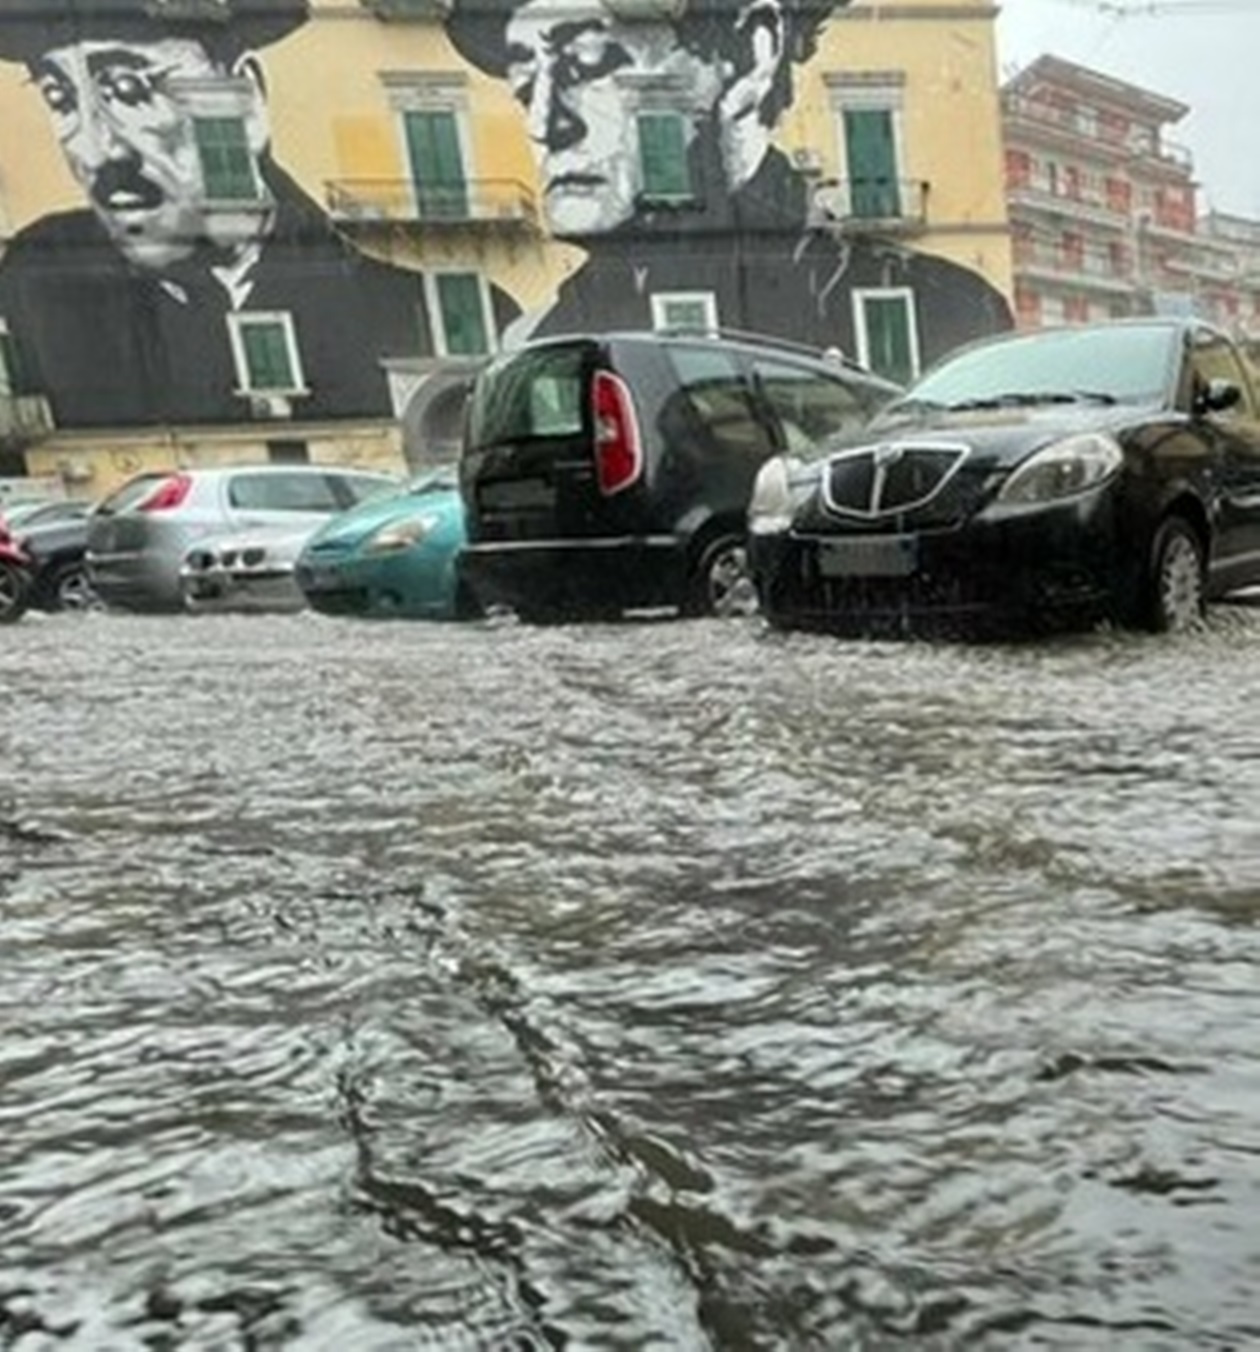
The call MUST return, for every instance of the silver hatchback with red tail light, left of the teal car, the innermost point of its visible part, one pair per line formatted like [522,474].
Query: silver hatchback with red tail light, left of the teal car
[140,536]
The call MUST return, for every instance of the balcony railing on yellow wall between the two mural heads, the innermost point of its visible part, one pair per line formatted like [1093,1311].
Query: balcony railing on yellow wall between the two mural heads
[481,202]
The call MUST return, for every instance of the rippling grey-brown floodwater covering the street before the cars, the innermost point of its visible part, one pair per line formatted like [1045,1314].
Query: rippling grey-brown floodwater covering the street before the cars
[652,986]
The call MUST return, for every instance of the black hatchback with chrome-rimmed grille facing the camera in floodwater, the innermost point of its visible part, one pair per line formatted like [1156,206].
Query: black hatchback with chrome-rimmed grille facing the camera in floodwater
[1050,478]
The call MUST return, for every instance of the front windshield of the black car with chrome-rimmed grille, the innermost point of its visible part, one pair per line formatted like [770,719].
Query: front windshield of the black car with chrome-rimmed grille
[1120,364]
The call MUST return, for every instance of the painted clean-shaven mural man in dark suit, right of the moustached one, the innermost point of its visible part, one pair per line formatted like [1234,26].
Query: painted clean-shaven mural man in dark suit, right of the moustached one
[585,74]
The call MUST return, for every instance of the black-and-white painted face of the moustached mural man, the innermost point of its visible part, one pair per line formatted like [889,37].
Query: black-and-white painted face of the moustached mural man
[130,141]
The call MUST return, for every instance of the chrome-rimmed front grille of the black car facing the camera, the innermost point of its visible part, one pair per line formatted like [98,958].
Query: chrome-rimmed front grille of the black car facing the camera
[889,479]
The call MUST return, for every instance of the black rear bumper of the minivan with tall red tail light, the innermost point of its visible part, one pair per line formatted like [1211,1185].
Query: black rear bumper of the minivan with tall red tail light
[578,578]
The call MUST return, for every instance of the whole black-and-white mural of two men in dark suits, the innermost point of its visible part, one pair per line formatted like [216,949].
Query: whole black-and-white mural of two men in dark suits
[199,275]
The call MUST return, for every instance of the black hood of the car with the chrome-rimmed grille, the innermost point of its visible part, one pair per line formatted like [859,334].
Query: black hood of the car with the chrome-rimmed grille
[997,437]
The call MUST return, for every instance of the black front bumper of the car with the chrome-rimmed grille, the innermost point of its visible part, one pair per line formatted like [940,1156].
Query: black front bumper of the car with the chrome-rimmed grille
[1035,569]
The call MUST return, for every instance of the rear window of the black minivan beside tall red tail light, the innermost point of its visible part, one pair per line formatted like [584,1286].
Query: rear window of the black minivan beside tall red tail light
[529,395]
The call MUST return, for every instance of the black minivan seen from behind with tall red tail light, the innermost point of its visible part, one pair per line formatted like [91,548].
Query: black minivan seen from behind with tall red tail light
[613,473]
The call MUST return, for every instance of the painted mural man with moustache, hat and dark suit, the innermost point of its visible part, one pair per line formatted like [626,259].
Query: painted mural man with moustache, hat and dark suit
[197,256]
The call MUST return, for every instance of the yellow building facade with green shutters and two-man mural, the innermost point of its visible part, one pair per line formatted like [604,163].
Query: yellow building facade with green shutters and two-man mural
[287,231]
